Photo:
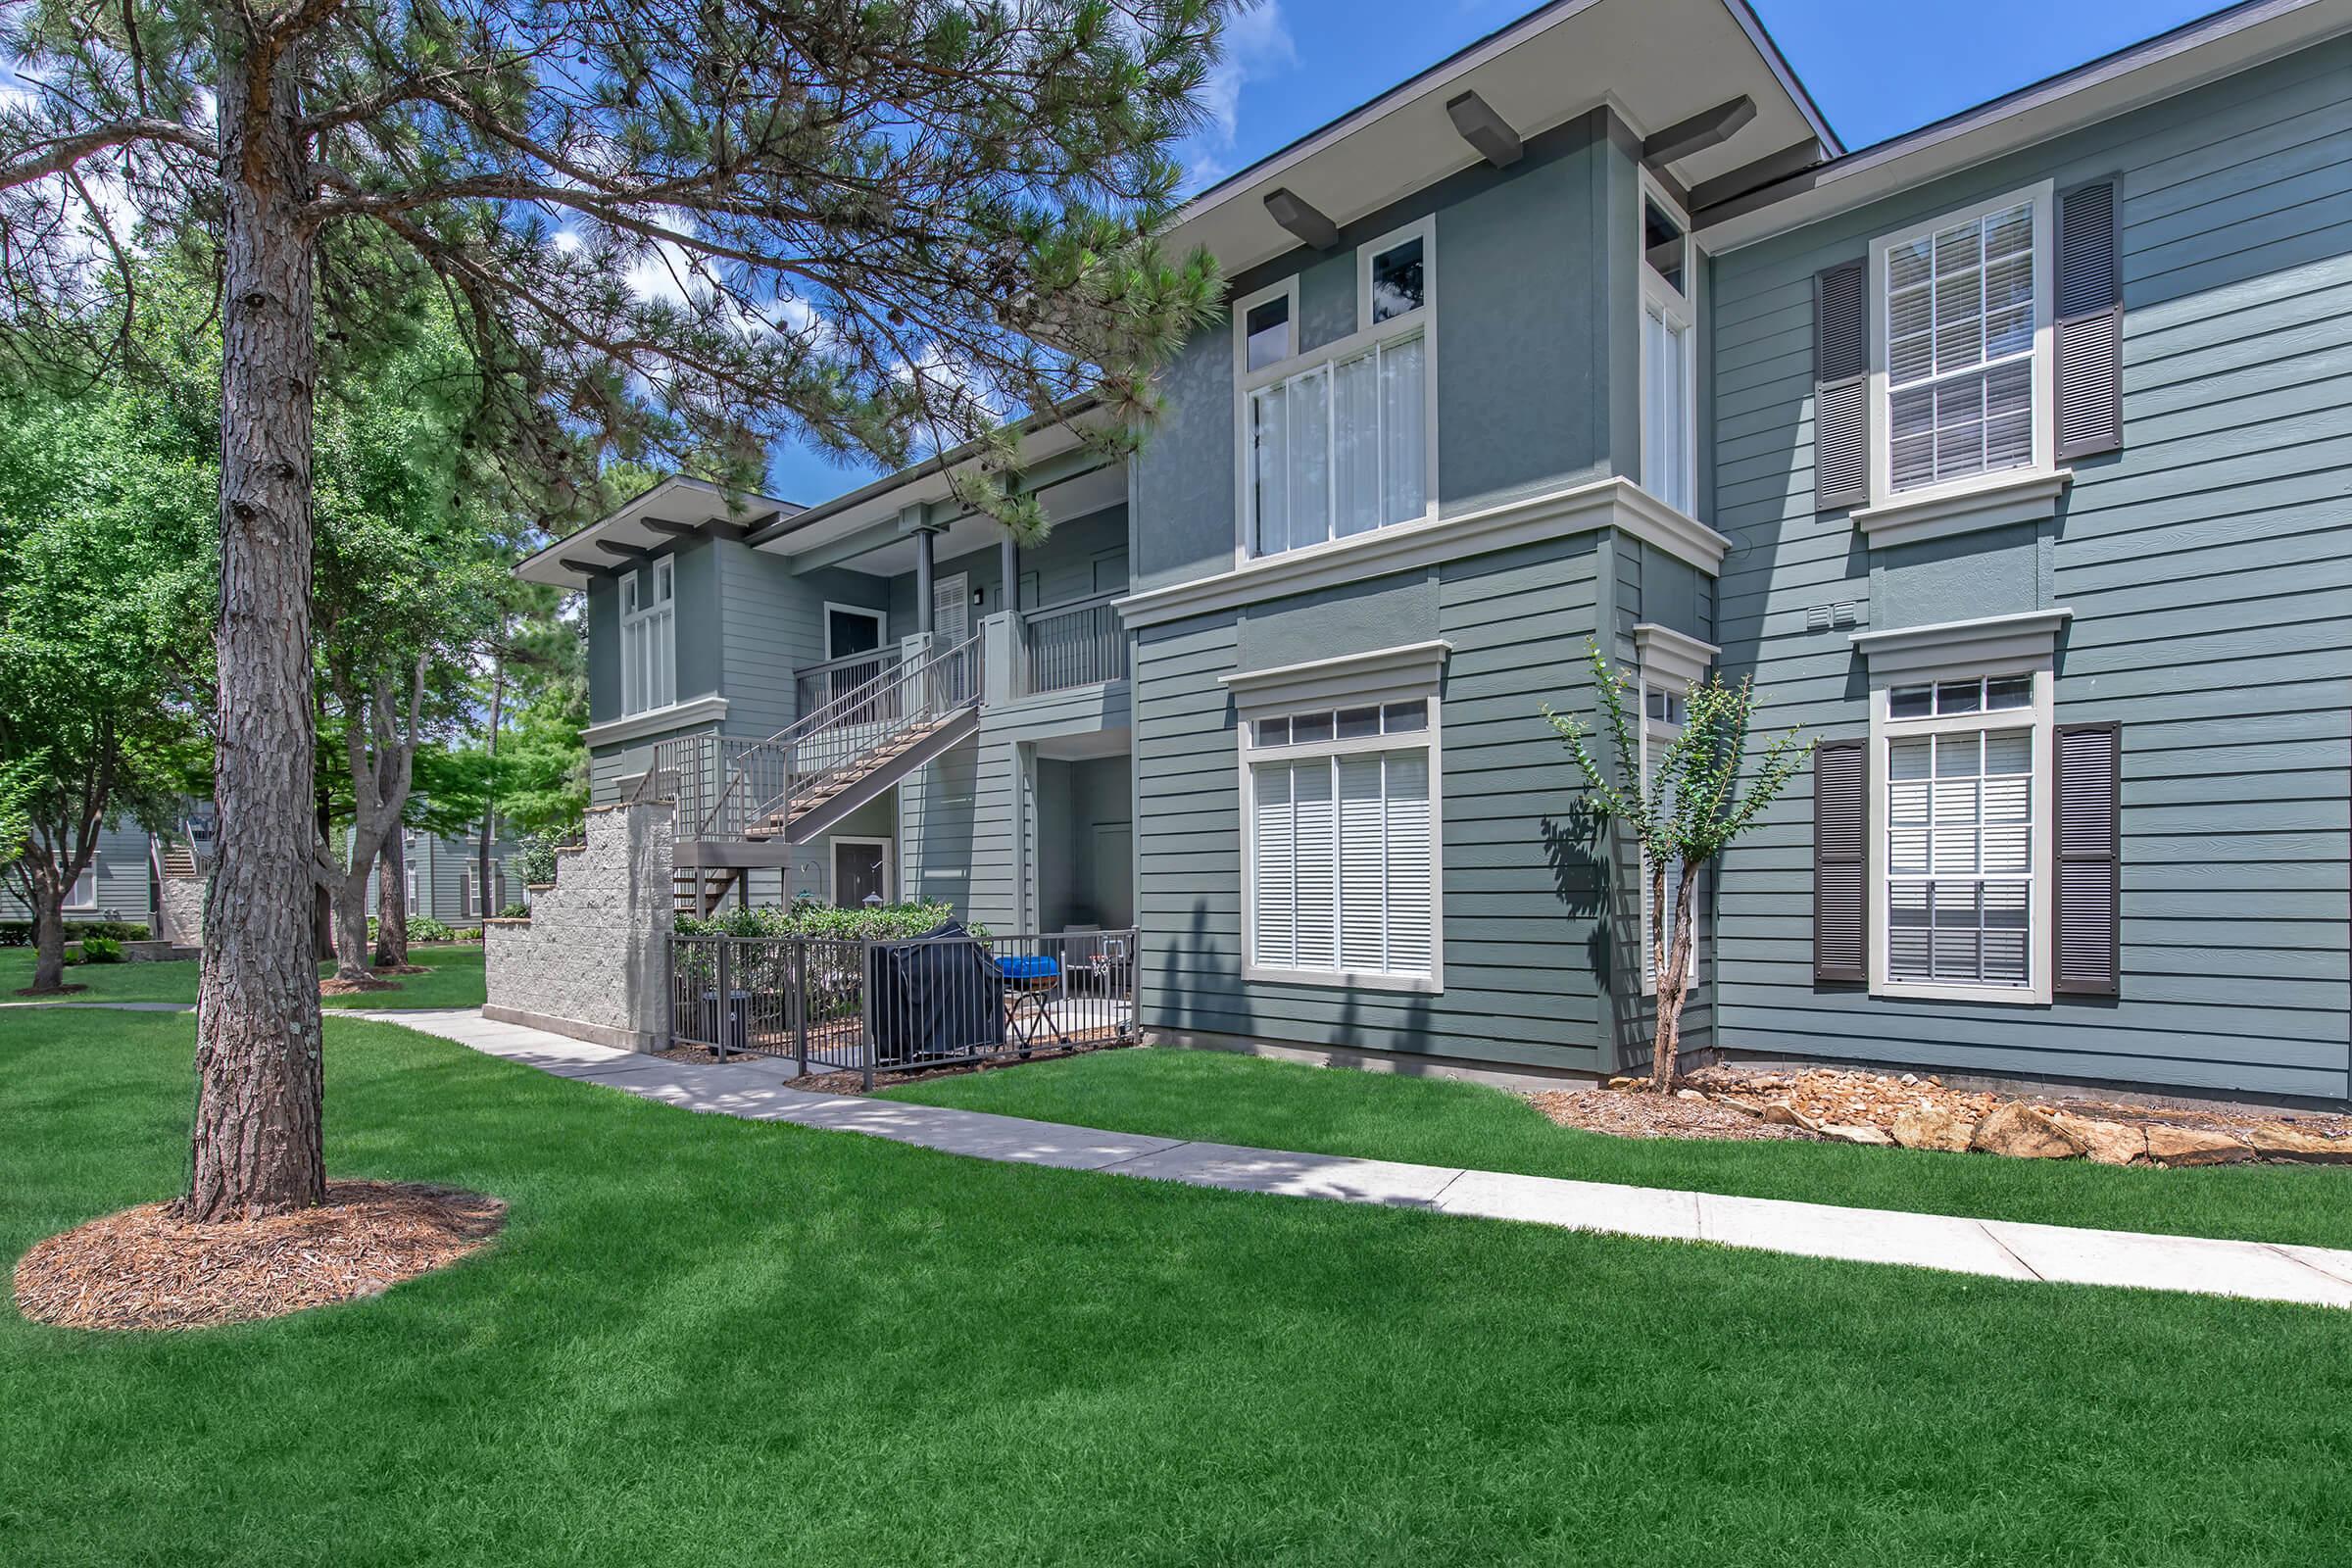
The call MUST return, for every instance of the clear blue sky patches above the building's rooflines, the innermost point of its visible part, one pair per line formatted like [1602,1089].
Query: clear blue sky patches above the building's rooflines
[1876,67]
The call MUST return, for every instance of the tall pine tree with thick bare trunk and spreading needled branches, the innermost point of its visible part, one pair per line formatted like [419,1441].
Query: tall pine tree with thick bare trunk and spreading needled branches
[671,232]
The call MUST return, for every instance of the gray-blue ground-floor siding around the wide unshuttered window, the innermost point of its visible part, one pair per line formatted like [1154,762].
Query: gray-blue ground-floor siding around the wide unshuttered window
[1521,894]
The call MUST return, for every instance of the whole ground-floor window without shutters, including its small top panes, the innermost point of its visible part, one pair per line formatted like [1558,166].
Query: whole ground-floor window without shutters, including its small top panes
[1339,824]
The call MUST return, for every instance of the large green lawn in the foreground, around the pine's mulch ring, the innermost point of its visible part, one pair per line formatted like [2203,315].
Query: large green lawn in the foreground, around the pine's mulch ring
[723,1341]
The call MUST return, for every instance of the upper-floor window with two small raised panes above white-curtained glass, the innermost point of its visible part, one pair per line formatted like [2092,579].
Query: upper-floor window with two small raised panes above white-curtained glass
[1339,441]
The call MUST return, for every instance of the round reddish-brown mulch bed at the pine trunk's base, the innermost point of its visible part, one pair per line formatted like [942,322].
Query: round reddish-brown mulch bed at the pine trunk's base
[142,1268]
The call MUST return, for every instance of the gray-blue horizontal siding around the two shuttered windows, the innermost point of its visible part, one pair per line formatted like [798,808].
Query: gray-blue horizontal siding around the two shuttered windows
[2207,570]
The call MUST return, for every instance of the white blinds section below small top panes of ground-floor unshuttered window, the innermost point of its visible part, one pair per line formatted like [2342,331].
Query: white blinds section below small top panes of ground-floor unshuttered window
[1344,876]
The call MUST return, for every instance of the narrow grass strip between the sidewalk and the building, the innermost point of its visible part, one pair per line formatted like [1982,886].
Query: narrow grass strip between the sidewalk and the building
[1283,1106]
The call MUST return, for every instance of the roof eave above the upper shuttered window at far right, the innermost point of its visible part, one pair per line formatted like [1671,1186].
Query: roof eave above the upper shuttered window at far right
[2163,67]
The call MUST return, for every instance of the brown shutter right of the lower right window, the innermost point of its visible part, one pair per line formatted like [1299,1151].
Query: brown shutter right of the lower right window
[2087,918]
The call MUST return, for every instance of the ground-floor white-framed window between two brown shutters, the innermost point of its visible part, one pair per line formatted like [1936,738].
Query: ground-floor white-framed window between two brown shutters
[1963,826]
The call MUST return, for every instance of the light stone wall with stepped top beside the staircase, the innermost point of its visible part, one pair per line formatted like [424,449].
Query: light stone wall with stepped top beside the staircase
[592,960]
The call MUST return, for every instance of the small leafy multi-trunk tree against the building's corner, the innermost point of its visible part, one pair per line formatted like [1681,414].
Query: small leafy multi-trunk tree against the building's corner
[1683,812]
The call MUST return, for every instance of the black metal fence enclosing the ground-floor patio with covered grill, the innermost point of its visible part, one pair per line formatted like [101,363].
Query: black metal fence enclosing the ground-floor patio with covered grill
[902,1005]
